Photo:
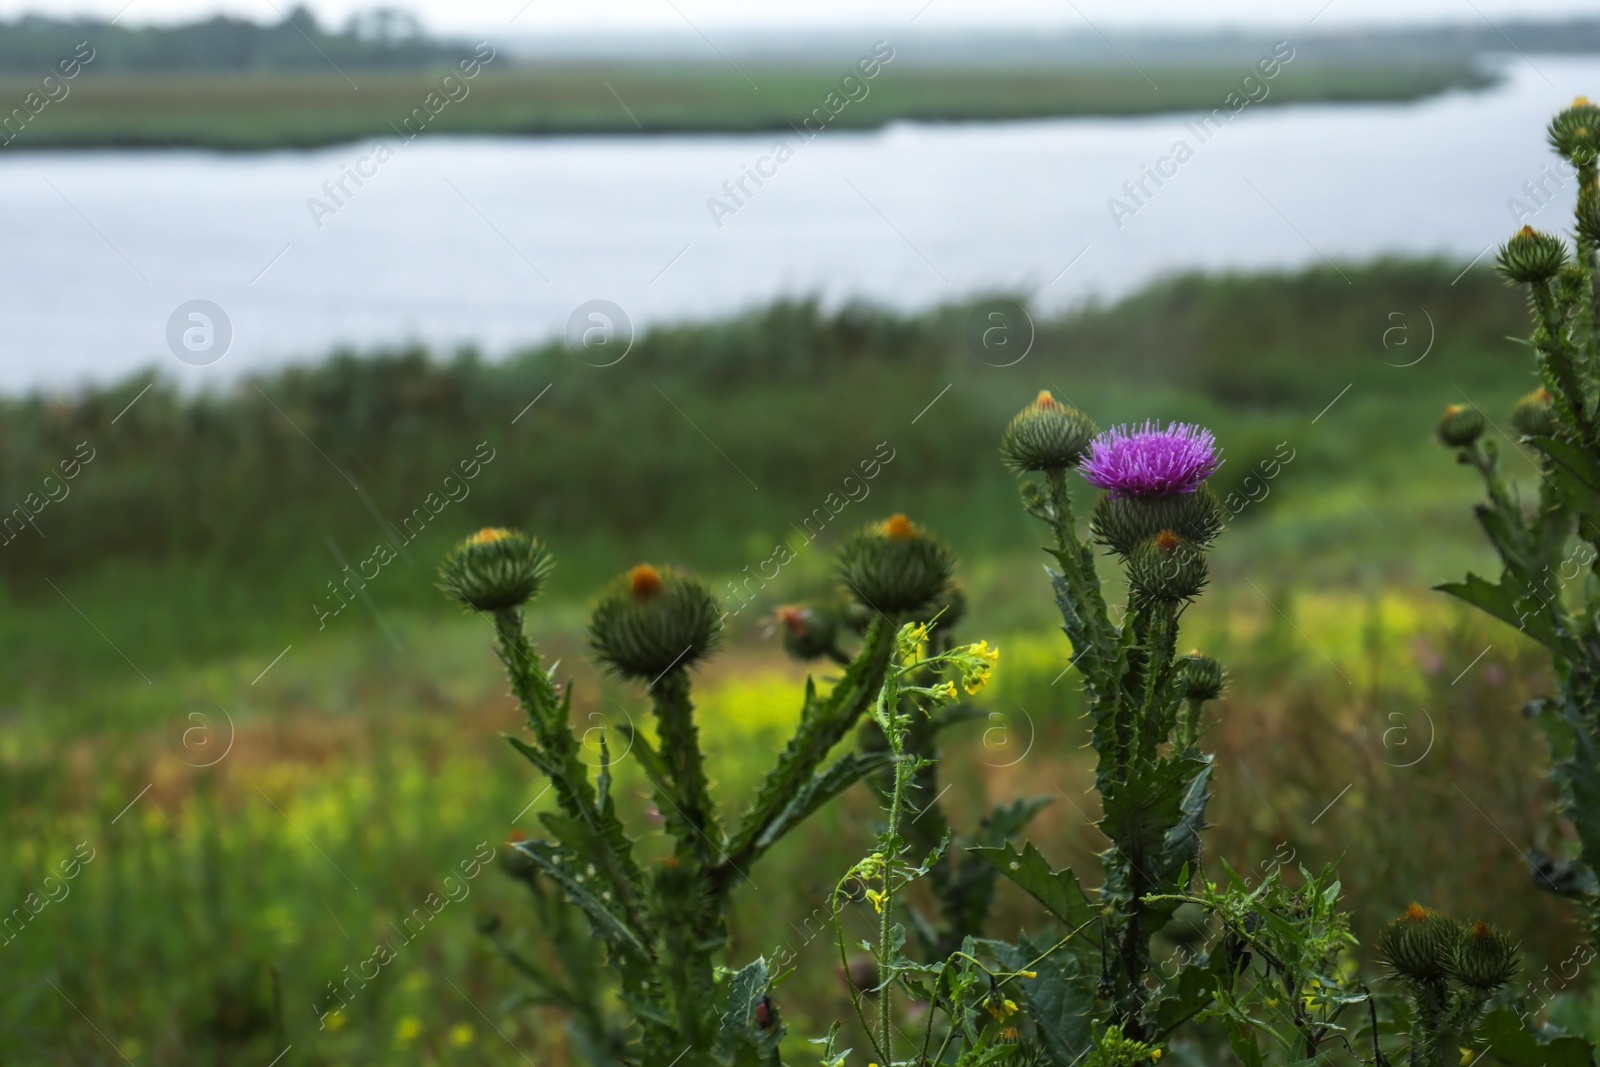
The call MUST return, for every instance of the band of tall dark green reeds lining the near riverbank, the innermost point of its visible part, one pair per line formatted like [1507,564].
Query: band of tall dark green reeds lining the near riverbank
[290,465]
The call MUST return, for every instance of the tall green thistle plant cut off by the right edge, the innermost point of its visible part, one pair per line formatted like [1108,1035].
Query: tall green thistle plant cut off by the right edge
[1548,588]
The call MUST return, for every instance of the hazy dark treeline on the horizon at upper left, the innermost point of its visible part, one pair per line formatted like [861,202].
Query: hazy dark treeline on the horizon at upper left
[385,39]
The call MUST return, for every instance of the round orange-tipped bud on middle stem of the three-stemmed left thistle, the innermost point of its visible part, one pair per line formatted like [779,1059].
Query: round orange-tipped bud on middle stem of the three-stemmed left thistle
[654,621]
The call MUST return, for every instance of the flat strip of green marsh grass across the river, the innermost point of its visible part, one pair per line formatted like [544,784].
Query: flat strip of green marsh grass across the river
[266,111]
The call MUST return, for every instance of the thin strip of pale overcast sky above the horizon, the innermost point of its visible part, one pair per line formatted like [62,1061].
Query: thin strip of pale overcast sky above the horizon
[473,17]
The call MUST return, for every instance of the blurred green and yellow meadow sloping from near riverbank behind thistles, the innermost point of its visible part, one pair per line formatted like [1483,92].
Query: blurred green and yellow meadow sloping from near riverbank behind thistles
[271,786]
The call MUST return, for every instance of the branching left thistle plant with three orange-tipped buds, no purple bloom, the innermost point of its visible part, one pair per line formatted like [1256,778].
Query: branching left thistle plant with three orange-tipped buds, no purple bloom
[644,980]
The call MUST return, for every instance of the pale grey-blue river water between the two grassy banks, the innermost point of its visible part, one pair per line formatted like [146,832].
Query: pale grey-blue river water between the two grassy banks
[498,241]
